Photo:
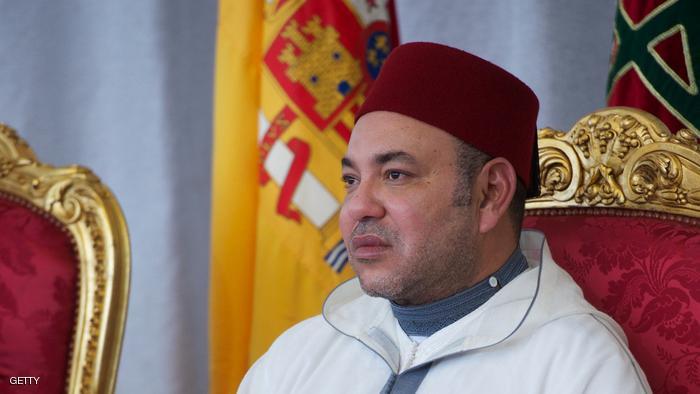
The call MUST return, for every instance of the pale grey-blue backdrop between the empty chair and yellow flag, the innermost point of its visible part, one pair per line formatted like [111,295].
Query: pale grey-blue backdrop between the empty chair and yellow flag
[125,88]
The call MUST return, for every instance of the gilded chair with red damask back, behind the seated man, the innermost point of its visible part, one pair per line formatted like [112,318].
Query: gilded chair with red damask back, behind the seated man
[620,207]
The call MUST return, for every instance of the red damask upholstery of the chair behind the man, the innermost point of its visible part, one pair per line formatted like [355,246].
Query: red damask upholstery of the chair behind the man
[645,273]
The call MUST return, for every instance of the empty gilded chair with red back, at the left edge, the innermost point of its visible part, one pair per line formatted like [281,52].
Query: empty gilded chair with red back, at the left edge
[64,276]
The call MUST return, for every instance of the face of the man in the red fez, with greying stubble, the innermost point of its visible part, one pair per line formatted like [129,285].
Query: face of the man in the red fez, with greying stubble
[406,239]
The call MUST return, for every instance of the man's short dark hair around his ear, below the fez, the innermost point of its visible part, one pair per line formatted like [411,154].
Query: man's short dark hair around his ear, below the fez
[469,162]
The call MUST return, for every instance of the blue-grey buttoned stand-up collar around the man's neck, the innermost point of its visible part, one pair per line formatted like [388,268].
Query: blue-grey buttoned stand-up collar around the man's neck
[425,320]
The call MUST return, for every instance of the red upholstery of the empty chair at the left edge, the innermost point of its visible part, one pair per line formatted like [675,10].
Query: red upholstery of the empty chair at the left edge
[38,279]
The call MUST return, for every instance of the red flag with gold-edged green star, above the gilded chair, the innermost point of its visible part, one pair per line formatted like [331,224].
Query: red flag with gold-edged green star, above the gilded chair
[656,58]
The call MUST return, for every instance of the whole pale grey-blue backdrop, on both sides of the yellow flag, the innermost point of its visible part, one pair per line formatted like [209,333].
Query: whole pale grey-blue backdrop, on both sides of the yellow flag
[125,88]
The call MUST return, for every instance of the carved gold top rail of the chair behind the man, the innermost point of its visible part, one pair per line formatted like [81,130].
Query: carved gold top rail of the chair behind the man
[619,161]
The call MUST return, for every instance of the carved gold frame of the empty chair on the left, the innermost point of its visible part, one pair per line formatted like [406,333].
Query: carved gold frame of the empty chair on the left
[87,209]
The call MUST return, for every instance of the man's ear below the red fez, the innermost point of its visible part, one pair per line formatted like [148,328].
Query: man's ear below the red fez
[495,185]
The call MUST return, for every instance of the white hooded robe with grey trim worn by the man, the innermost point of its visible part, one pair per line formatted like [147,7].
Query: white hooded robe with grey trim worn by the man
[536,335]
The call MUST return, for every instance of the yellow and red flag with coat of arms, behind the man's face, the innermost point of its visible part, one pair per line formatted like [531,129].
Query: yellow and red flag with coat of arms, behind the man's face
[289,76]
